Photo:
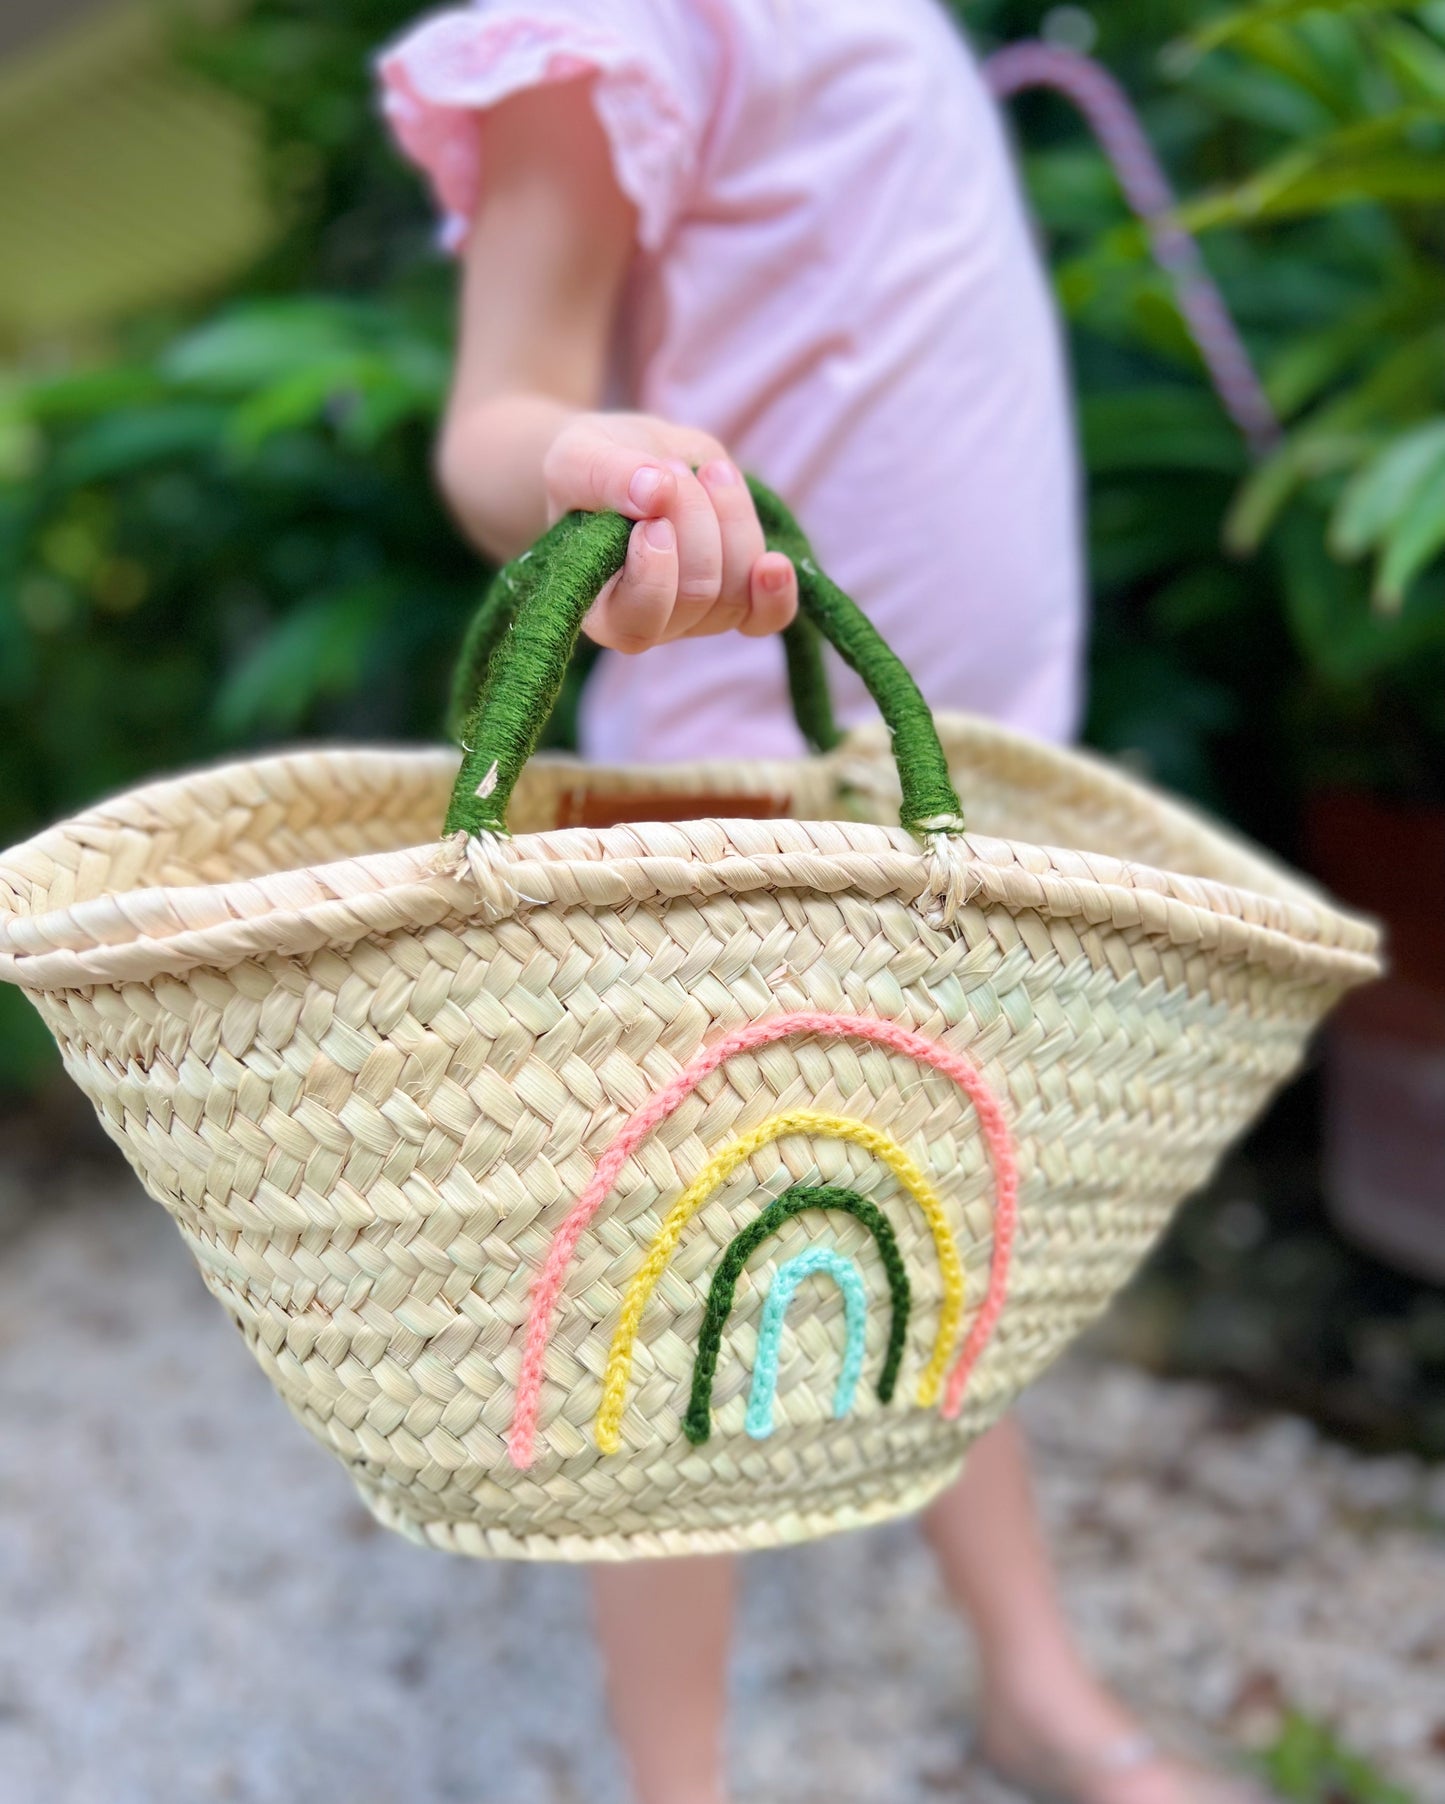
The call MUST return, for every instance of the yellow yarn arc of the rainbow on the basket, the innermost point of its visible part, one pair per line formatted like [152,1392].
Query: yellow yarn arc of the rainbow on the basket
[717,1172]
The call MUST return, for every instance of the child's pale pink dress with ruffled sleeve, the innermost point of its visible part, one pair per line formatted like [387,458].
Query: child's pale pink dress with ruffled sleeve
[834,277]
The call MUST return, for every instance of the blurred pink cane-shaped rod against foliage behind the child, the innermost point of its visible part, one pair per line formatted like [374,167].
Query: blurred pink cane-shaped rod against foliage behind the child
[1146,189]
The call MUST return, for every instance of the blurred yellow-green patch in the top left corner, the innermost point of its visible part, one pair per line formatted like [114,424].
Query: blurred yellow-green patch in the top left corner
[124,179]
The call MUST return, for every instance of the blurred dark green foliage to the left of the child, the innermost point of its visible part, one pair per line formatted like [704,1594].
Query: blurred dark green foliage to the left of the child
[228,533]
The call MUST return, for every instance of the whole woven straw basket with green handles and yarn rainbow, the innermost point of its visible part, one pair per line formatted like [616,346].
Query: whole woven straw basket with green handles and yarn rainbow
[704,1163]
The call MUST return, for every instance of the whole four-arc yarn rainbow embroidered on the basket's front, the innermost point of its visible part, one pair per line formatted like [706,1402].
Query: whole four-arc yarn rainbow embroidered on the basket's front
[912,1181]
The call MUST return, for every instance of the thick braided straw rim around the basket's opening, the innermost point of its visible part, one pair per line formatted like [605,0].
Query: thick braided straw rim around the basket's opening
[140,934]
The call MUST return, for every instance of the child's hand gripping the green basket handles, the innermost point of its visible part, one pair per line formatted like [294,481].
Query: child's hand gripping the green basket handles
[697,562]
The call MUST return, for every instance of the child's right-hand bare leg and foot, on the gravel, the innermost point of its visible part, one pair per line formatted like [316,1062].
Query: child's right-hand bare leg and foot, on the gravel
[1044,1715]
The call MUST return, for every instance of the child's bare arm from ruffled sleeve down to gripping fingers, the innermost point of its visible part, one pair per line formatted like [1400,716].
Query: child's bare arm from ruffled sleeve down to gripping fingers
[522,445]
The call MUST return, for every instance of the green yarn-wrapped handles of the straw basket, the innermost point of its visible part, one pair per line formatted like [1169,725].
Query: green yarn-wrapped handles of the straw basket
[529,623]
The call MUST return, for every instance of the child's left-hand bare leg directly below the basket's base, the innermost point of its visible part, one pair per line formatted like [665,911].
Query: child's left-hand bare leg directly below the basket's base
[665,1630]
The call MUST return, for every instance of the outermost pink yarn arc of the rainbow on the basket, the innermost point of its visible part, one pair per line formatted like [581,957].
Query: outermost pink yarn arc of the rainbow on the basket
[636,1130]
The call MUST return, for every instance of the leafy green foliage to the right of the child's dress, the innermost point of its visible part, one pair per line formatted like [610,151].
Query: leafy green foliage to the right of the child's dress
[1266,630]
